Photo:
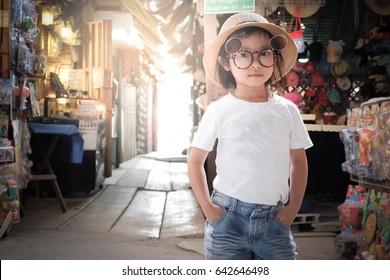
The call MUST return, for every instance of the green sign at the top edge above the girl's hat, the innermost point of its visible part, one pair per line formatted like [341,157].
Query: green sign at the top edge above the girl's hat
[228,6]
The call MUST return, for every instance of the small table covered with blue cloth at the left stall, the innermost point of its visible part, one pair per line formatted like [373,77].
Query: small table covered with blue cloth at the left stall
[54,142]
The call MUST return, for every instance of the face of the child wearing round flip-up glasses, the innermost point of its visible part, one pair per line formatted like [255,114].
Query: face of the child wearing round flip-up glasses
[256,74]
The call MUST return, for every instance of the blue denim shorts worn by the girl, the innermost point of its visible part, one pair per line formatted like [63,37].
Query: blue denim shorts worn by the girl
[247,231]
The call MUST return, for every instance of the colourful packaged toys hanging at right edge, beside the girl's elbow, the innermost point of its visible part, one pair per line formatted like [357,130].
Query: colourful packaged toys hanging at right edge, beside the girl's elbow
[366,141]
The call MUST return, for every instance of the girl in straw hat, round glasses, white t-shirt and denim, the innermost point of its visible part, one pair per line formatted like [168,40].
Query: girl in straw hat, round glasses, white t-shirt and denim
[260,161]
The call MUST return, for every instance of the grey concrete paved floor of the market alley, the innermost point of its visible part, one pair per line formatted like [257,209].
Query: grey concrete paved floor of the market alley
[146,210]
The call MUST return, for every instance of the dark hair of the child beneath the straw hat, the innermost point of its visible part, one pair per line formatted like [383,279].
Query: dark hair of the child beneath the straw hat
[227,78]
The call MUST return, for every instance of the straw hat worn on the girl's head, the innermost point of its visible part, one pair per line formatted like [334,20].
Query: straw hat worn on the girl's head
[236,22]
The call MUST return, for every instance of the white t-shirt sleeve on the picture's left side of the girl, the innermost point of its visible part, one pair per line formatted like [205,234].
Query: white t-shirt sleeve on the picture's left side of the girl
[206,133]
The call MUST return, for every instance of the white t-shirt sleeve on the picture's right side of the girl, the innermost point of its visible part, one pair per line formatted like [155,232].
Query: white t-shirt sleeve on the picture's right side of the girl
[299,137]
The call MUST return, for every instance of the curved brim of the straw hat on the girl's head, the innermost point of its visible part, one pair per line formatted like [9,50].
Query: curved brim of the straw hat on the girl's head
[210,58]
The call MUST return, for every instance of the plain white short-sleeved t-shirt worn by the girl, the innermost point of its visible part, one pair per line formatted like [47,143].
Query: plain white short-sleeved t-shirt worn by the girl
[254,142]
